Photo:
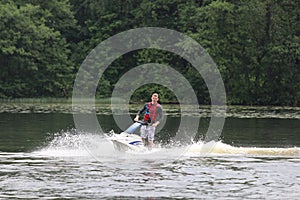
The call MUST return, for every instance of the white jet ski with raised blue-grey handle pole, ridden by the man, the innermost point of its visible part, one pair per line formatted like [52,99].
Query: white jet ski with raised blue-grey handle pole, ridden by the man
[127,140]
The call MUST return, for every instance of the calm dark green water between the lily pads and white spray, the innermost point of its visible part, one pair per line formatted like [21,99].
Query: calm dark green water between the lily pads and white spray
[29,131]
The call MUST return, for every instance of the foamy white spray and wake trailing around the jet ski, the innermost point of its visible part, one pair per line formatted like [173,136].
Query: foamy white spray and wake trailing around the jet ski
[81,145]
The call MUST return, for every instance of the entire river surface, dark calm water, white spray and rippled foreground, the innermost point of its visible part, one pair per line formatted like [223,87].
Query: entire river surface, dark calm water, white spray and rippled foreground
[43,156]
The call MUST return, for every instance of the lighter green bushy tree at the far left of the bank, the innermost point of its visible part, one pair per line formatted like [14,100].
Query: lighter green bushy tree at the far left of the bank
[34,57]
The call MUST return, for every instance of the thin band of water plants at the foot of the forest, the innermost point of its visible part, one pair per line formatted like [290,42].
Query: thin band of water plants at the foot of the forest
[104,108]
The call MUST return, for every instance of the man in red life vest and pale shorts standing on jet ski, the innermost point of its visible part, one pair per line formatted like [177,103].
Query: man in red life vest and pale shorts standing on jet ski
[153,115]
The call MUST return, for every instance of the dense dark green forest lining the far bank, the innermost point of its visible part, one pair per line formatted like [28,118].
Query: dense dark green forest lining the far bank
[256,45]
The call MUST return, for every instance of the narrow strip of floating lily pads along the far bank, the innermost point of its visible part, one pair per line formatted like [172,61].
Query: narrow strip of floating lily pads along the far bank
[103,106]
